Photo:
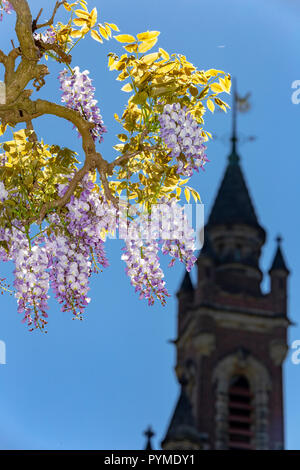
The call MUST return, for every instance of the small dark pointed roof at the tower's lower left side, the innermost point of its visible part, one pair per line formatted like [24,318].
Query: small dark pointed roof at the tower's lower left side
[182,425]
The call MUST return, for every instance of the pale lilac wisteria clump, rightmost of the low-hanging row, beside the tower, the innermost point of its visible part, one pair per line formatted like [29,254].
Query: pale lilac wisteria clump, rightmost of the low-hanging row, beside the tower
[167,228]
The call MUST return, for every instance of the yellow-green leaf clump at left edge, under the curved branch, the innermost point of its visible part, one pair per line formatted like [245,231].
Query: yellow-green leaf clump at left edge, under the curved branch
[31,171]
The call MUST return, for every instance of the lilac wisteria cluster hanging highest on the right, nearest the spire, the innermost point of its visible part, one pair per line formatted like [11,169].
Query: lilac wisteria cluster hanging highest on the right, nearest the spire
[183,135]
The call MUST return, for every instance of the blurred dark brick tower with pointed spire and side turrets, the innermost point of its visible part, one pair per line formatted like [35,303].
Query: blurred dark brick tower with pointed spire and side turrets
[231,339]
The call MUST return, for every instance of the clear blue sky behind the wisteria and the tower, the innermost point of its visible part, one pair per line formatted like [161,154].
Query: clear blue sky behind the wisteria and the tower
[97,384]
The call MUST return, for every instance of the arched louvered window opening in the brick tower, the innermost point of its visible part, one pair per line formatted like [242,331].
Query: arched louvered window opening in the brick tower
[240,414]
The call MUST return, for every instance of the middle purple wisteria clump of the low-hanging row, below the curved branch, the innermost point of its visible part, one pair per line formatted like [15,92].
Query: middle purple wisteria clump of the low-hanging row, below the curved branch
[88,219]
